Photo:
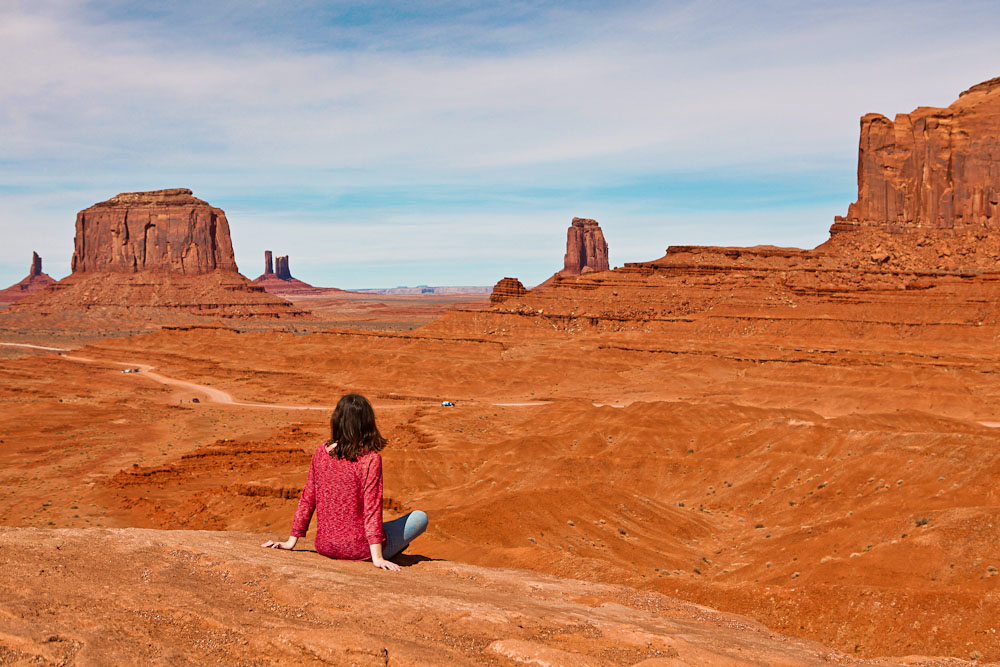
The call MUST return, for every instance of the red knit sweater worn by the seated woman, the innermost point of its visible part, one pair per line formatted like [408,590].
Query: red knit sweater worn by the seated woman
[347,497]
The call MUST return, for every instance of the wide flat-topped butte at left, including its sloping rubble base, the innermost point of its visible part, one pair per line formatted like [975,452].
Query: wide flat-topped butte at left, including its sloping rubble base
[152,257]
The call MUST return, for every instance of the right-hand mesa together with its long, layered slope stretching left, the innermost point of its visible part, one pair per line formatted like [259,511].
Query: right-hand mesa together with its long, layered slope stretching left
[922,234]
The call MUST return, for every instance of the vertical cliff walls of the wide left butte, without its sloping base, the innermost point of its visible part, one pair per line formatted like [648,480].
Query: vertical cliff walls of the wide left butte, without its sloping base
[162,230]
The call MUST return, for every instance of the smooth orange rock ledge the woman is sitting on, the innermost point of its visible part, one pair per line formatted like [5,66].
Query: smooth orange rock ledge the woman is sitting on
[115,596]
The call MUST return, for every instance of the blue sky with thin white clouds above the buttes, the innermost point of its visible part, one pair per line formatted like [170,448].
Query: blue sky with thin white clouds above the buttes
[399,143]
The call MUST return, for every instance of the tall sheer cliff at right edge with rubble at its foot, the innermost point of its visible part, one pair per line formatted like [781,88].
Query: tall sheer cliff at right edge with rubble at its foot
[928,188]
